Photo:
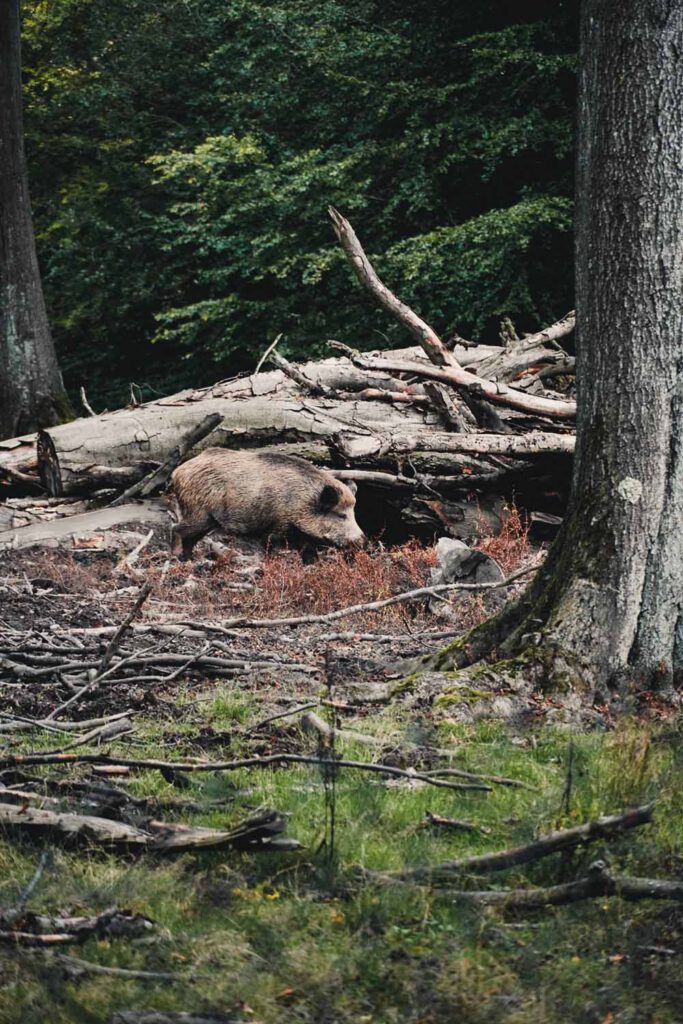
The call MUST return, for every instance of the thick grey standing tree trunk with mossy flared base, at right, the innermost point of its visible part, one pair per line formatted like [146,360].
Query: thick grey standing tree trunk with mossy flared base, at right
[609,606]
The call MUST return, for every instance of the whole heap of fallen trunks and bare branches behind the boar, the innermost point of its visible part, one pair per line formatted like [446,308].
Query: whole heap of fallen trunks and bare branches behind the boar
[419,424]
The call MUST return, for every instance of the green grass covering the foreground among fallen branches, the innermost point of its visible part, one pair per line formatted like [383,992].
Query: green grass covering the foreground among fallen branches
[294,938]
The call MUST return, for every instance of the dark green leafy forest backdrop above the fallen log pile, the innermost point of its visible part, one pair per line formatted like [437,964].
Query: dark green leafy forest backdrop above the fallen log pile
[183,154]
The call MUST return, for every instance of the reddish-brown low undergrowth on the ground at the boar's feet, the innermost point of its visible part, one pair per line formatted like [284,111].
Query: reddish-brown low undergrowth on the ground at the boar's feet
[280,584]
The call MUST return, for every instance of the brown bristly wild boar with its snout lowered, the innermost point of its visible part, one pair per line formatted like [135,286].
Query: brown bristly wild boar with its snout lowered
[261,494]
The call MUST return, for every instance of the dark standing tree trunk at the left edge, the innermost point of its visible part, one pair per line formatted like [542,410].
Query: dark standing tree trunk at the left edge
[32,394]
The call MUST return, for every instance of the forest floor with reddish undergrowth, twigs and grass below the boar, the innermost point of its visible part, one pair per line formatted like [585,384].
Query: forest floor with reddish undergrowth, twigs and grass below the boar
[319,933]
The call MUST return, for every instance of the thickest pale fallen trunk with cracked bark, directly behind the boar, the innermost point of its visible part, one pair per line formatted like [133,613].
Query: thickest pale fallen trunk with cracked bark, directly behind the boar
[117,450]
